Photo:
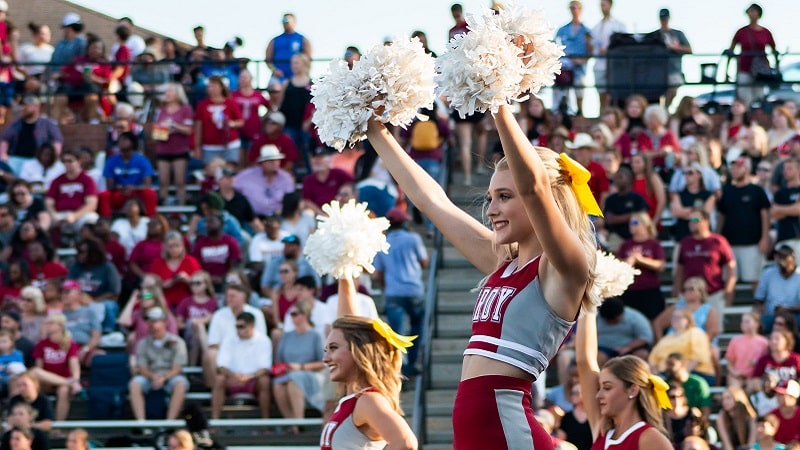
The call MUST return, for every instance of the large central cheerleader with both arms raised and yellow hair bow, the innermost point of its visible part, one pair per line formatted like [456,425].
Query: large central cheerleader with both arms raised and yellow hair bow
[541,243]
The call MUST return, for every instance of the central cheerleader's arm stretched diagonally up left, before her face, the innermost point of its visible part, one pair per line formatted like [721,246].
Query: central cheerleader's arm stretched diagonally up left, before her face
[469,236]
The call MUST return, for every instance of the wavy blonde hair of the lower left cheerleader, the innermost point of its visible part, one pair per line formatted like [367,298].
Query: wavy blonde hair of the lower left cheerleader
[378,362]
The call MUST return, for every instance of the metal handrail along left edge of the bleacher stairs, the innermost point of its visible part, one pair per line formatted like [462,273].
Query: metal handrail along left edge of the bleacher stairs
[429,326]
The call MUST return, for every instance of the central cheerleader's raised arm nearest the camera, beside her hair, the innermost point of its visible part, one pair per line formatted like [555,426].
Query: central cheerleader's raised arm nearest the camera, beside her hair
[559,242]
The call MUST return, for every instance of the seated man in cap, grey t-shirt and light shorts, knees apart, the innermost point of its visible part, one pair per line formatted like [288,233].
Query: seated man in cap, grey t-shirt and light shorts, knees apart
[160,358]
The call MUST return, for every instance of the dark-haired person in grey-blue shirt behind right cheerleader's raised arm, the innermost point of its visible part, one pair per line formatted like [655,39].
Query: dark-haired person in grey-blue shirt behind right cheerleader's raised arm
[622,331]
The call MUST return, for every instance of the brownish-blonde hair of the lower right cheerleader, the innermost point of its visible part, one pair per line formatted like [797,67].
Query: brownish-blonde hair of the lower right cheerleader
[632,370]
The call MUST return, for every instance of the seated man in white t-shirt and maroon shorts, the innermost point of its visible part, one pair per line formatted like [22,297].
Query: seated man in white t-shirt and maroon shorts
[243,365]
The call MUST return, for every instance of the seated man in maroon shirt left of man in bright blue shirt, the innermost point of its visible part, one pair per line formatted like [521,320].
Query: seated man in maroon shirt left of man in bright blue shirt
[72,197]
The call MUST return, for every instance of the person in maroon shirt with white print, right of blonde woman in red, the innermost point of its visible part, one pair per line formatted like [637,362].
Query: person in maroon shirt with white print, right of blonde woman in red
[217,252]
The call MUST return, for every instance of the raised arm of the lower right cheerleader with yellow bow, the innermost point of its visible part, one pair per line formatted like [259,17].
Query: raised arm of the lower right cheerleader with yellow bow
[588,369]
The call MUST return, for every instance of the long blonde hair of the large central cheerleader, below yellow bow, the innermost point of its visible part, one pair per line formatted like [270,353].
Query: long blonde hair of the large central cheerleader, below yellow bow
[576,218]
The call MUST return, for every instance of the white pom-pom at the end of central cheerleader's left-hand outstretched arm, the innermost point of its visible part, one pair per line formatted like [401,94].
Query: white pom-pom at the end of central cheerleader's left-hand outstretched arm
[396,80]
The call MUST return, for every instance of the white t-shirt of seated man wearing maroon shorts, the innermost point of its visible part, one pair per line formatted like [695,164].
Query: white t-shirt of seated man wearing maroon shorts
[245,356]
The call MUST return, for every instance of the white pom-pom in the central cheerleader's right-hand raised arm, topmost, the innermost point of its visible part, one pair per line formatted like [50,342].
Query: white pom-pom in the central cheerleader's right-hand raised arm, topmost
[505,56]
